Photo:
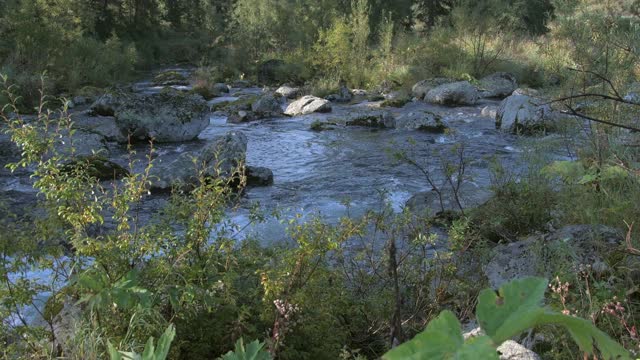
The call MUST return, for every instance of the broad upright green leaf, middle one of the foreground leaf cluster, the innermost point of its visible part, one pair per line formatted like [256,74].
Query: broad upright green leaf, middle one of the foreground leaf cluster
[516,308]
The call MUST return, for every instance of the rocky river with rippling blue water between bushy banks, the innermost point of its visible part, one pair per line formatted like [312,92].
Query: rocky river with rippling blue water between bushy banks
[310,156]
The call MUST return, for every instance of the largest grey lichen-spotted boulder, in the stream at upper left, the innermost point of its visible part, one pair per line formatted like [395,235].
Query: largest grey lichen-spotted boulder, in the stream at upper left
[168,116]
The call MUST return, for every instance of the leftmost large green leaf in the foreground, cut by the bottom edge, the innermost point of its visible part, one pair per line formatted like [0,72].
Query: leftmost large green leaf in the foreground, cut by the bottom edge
[442,339]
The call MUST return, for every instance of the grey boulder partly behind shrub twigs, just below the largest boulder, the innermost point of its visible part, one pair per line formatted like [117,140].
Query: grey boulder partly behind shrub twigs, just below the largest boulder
[220,159]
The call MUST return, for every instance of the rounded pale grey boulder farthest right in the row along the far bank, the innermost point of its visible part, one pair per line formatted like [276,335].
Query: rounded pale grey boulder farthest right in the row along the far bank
[521,114]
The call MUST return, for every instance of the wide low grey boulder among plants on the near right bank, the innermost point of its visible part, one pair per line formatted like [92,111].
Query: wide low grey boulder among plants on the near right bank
[585,245]
